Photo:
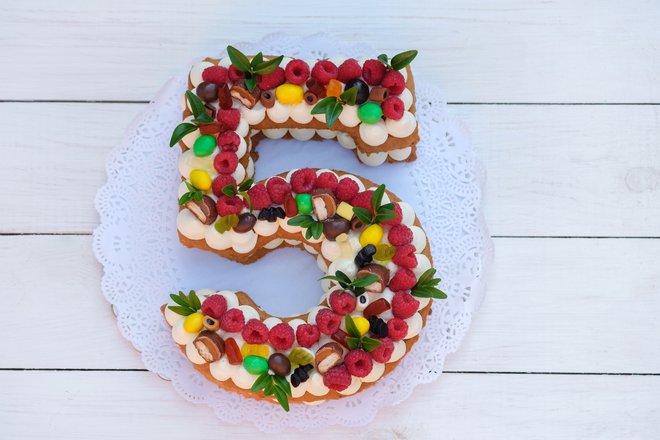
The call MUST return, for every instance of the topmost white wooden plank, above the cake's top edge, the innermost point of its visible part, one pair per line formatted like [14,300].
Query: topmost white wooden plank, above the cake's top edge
[508,51]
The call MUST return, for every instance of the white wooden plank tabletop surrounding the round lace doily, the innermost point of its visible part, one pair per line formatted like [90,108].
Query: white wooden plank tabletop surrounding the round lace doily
[563,101]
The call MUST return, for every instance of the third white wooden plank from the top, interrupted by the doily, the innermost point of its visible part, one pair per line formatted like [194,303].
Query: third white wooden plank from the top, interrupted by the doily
[552,305]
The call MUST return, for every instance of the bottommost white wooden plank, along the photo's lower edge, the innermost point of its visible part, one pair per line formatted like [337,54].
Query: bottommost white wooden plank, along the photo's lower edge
[135,405]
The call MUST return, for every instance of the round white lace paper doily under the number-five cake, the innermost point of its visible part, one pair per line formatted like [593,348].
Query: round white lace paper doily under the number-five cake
[137,244]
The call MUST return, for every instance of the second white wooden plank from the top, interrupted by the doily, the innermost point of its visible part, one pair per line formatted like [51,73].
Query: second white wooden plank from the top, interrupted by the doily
[553,170]
